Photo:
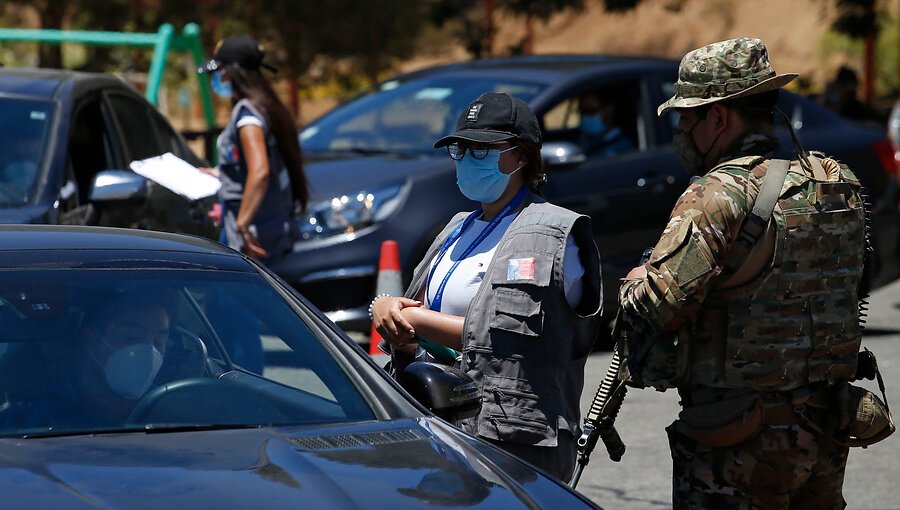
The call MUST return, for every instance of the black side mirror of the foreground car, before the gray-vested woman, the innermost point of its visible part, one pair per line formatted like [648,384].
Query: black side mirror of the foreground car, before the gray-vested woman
[446,391]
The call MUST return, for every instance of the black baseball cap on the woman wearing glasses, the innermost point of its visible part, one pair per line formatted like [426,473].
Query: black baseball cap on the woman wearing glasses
[494,118]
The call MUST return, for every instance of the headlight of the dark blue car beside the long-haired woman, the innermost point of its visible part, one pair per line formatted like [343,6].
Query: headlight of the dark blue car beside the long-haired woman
[346,214]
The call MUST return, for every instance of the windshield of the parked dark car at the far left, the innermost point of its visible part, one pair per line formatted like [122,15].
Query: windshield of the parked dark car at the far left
[23,140]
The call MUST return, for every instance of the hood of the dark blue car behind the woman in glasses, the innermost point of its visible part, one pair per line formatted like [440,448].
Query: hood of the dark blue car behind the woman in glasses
[335,176]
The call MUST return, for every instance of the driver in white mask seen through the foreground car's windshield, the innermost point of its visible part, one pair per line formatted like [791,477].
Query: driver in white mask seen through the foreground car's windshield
[121,345]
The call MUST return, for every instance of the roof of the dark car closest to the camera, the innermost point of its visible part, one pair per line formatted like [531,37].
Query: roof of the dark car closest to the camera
[24,246]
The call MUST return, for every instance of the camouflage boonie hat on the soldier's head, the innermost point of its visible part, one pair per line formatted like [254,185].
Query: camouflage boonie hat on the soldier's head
[724,70]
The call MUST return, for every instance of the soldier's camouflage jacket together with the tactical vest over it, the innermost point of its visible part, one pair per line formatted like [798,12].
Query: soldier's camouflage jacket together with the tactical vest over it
[791,316]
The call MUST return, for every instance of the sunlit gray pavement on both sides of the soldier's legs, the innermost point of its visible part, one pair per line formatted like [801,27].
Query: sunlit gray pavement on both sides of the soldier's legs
[642,479]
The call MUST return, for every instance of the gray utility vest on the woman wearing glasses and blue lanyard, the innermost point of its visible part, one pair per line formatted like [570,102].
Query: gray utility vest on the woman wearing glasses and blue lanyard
[522,343]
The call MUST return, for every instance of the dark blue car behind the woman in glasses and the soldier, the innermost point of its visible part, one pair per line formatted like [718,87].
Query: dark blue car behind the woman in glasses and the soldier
[375,175]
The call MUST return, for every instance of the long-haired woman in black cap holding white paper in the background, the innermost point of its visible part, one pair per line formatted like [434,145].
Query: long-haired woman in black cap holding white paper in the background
[259,154]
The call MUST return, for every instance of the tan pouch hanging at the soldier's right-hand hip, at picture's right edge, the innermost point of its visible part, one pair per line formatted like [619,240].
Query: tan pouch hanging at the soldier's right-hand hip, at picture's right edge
[863,419]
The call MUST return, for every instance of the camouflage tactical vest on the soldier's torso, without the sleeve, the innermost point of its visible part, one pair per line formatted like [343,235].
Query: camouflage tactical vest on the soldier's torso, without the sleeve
[796,323]
